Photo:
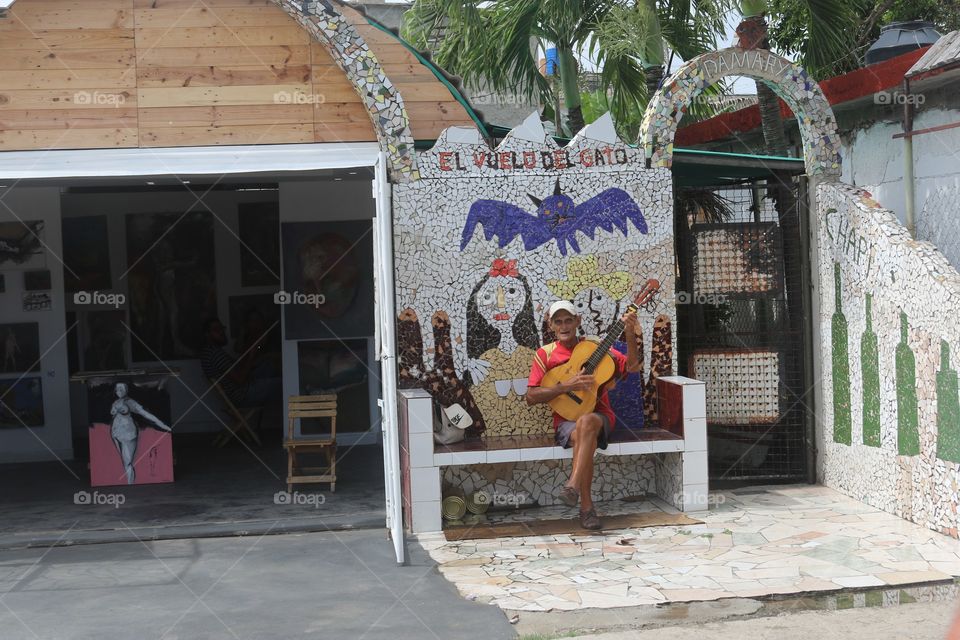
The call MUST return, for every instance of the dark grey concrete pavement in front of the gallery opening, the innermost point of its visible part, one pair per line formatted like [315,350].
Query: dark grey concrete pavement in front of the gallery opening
[341,585]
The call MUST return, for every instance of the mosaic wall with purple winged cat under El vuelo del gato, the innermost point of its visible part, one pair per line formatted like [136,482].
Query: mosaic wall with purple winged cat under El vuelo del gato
[488,238]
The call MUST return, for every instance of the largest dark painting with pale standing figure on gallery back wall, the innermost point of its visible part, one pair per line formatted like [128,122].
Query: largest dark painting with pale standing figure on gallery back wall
[172,283]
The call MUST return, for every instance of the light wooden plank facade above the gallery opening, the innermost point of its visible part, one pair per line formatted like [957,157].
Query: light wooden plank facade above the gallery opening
[76,74]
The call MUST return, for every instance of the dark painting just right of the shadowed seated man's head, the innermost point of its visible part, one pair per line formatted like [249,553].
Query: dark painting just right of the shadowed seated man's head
[255,324]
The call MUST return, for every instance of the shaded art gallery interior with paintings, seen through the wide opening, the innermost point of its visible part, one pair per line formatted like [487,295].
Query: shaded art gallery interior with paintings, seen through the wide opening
[115,280]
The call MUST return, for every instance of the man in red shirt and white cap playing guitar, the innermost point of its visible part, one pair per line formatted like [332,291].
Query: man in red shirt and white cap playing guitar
[593,429]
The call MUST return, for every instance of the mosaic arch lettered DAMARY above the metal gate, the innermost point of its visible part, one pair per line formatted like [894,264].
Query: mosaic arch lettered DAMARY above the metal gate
[818,127]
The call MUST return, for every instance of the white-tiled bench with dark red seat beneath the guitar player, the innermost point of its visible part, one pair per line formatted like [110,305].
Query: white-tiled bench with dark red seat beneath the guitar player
[682,430]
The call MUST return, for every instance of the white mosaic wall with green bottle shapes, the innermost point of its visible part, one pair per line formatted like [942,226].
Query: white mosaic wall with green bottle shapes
[889,322]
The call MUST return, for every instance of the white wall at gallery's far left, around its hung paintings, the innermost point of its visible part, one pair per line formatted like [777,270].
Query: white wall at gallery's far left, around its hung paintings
[53,440]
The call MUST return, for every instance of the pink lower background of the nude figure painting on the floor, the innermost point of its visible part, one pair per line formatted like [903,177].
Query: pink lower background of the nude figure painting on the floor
[153,461]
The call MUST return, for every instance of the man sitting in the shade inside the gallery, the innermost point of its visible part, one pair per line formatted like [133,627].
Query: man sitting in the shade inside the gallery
[244,383]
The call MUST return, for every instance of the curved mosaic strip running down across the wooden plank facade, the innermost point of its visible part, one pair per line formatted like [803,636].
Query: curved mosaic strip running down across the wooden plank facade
[351,53]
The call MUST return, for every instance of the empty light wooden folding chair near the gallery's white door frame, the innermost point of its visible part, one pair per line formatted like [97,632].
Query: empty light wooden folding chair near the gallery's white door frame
[318,406]
